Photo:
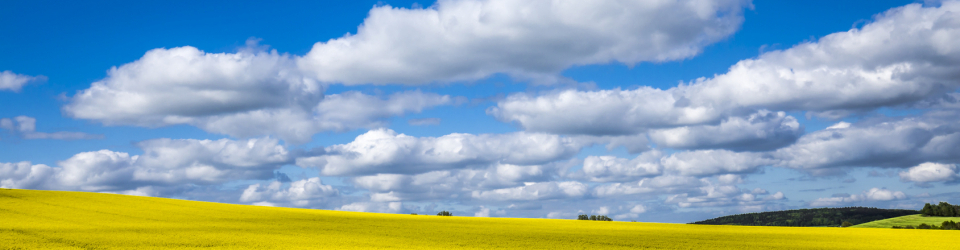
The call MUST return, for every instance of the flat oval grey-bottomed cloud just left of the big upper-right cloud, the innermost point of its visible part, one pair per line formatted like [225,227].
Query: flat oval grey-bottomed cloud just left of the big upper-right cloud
[604,112]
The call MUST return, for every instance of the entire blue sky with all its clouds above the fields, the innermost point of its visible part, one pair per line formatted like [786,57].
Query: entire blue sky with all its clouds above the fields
[660,111]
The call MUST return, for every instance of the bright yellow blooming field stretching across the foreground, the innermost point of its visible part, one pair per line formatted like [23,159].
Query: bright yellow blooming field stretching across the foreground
[76,220]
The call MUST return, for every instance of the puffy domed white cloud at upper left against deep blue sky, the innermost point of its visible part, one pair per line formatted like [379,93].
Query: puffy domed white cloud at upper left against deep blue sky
[168,86]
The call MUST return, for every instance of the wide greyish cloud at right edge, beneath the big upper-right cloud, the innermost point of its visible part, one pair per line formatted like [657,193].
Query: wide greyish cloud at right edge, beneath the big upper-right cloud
[901,143]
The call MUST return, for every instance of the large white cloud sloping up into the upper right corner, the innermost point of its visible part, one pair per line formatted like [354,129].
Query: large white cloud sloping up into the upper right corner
[906,54]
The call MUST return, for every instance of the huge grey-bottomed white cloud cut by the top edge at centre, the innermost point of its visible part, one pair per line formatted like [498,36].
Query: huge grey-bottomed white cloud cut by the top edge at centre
[473,39]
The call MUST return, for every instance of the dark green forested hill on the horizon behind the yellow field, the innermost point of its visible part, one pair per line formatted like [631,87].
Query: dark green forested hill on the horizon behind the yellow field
[818,217]
